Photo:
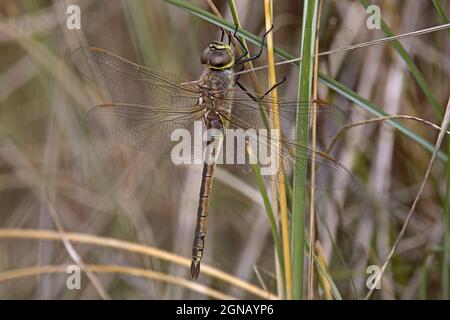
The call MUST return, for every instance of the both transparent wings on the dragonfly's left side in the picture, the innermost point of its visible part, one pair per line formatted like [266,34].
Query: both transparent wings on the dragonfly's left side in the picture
[147,105]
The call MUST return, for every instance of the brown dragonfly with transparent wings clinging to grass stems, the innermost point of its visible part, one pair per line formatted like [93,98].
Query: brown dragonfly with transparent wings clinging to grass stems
[146,106]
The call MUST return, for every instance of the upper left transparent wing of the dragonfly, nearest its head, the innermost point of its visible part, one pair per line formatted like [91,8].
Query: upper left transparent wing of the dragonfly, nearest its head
[127,82]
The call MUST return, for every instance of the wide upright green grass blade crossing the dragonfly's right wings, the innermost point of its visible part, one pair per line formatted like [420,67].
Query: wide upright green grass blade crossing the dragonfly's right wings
[302,128]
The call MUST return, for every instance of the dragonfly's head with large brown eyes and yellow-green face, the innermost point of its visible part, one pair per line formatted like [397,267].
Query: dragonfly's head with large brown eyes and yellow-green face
[218,56]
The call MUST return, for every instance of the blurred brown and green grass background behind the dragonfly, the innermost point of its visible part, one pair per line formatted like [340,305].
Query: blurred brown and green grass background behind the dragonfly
[50,161]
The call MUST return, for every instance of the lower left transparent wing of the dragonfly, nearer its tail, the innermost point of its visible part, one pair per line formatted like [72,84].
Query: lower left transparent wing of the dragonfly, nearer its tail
[142,127]
